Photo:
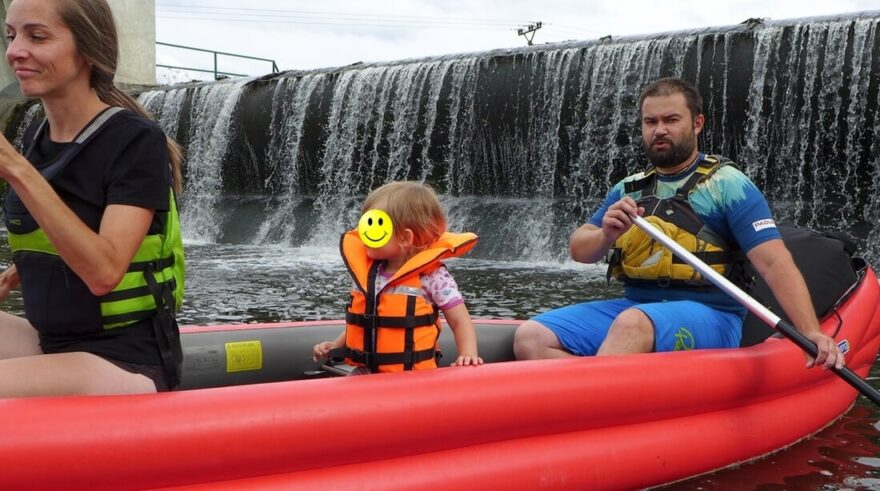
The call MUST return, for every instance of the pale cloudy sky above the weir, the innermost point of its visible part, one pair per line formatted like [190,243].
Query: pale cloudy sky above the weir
[308,34]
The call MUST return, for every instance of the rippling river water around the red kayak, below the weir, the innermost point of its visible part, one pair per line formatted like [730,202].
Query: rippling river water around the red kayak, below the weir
[234,283]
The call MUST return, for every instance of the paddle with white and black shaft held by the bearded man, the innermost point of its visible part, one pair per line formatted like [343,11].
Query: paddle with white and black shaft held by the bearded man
[754,306]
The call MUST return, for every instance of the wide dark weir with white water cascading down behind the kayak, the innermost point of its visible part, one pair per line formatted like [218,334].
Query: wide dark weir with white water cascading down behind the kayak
[523,143]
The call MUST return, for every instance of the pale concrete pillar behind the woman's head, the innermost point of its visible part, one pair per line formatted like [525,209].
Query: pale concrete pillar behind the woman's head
[136,24]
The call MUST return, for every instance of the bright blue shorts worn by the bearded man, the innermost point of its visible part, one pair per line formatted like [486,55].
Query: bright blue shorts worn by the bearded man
[678,325]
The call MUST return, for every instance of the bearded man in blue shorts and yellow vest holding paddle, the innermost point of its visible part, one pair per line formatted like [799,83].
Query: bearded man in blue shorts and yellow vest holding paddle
[709,207]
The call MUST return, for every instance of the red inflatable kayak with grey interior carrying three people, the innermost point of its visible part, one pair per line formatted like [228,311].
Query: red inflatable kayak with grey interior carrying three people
[259,414]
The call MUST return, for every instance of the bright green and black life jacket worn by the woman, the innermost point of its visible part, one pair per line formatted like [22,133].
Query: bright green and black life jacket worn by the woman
[154,279]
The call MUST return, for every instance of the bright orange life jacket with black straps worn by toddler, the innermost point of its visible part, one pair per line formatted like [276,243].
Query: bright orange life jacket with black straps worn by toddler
[394,329]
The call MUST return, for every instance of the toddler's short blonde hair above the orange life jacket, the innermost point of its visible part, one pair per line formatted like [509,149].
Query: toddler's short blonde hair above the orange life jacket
[411,205]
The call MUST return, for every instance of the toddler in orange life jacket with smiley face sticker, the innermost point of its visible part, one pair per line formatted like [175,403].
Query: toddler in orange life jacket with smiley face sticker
[392,321]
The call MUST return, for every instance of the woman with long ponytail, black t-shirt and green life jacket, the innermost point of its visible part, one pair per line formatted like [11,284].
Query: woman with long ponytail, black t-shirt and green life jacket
[91,217]
